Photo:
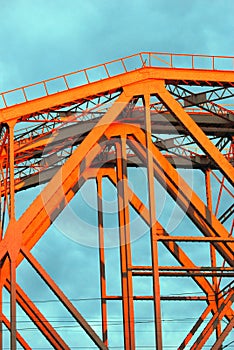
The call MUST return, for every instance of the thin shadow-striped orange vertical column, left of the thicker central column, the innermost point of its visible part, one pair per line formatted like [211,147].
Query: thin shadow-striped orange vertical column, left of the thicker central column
[102,261]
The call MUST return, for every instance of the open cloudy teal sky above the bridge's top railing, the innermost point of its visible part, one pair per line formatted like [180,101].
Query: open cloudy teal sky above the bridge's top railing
[45,38]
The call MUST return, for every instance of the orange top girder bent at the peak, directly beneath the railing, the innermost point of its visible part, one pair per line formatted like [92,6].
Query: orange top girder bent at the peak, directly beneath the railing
[77,94]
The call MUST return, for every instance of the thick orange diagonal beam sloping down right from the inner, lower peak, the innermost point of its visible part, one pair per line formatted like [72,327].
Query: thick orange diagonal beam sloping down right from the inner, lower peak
[185,196]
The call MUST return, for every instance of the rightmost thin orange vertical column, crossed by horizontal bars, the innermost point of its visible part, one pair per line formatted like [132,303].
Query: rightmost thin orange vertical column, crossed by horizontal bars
[212,248]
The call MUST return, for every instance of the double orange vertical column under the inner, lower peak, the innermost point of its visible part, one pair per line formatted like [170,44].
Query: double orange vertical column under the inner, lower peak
[125,249]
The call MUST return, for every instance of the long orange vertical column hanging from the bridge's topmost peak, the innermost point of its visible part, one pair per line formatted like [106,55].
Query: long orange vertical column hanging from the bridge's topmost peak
[153,224]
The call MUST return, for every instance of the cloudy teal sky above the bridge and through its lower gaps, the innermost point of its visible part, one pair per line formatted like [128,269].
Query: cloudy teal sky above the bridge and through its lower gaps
[45,38]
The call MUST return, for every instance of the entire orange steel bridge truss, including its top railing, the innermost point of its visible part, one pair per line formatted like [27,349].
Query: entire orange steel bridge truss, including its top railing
[167,114]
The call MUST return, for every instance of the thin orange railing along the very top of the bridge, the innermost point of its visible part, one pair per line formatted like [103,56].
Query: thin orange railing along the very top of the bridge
[110,69]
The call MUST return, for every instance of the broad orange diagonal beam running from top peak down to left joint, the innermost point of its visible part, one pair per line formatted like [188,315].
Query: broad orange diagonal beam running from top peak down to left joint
[54,197]
